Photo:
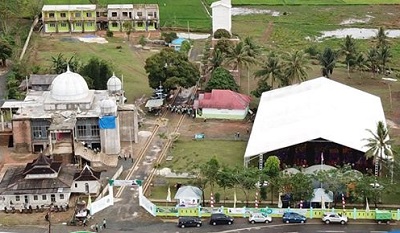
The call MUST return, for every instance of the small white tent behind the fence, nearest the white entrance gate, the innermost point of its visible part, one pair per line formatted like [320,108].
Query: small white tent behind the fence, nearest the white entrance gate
[188,196]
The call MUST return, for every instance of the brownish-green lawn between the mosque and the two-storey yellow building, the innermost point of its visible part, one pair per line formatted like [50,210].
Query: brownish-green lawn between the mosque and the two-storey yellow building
[125,61]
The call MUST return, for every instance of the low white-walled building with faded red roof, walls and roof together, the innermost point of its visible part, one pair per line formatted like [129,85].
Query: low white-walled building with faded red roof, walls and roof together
[222,104]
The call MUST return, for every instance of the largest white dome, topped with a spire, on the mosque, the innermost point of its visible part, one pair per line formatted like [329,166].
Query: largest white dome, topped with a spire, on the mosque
[69,86]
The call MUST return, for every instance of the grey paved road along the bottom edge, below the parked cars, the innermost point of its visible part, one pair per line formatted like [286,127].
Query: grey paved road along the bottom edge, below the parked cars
[152,225]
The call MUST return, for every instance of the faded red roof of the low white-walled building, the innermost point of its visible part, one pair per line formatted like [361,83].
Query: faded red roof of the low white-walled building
[224,99]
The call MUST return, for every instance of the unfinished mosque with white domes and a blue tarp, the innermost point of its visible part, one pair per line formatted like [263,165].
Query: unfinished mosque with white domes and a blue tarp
[71,123]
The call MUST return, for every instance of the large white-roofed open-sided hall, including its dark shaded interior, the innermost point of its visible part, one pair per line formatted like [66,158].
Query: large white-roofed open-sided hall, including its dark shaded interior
[315,120]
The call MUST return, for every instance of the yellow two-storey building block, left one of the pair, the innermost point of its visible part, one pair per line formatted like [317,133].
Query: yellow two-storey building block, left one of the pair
[69,18]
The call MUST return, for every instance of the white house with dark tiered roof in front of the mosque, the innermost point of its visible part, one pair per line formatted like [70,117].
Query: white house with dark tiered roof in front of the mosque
[40,183]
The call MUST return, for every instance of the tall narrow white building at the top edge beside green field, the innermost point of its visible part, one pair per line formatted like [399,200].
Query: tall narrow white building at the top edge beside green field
[222,15]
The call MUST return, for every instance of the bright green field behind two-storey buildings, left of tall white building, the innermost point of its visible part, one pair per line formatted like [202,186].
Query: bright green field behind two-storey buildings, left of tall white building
[173,13]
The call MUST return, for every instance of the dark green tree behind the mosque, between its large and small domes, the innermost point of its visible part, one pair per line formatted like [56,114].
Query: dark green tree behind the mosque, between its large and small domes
[97,72]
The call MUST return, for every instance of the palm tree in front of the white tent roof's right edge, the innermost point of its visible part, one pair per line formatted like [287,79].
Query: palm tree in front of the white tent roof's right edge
[379,146]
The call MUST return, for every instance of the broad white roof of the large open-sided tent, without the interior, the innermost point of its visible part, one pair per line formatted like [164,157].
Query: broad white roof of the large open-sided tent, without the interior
[318,108]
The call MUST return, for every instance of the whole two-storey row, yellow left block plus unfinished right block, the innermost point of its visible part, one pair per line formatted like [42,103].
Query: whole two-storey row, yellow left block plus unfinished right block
[88,18]
